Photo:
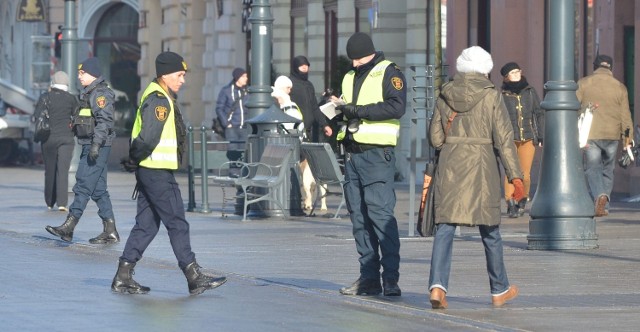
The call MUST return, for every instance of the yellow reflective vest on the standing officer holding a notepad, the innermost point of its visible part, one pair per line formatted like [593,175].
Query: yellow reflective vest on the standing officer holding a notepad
[384,132]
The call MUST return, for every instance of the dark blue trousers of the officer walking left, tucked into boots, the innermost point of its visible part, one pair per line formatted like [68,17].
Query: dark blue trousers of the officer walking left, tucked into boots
[91,183]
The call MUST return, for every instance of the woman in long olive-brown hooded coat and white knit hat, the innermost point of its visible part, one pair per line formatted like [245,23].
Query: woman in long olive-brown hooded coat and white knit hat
[471,129]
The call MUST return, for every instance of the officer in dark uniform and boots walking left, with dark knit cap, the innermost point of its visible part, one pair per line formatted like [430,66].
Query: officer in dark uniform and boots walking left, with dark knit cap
[95,134]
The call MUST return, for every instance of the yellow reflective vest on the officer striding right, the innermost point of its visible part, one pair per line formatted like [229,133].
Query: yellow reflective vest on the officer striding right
[165,154]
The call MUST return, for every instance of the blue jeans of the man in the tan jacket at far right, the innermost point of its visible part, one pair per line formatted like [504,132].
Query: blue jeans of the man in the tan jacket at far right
[599,162]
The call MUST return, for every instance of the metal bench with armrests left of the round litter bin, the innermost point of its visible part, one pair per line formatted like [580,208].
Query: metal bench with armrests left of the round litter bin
[259,181]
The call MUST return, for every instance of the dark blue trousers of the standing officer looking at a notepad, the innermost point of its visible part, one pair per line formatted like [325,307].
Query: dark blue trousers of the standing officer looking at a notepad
[371,198]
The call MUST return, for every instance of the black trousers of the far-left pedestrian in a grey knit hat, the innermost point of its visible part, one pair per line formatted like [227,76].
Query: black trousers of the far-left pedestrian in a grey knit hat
[56,154]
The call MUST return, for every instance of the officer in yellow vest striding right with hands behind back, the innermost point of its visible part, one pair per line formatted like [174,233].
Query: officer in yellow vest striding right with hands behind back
[158,140]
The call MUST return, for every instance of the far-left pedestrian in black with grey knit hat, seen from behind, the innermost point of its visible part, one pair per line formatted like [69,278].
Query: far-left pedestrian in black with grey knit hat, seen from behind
[57,150]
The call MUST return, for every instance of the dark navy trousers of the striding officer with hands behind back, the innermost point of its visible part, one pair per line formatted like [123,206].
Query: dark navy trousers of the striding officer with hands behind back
[159,199]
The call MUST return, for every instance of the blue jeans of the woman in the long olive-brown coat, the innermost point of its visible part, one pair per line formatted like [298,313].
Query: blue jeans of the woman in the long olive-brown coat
[443,248]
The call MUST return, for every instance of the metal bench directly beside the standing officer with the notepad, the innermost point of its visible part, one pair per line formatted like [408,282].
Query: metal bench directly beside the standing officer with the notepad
[326,171]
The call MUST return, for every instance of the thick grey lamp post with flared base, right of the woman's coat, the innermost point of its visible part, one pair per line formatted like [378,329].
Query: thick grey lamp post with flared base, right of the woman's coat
[562,212]
